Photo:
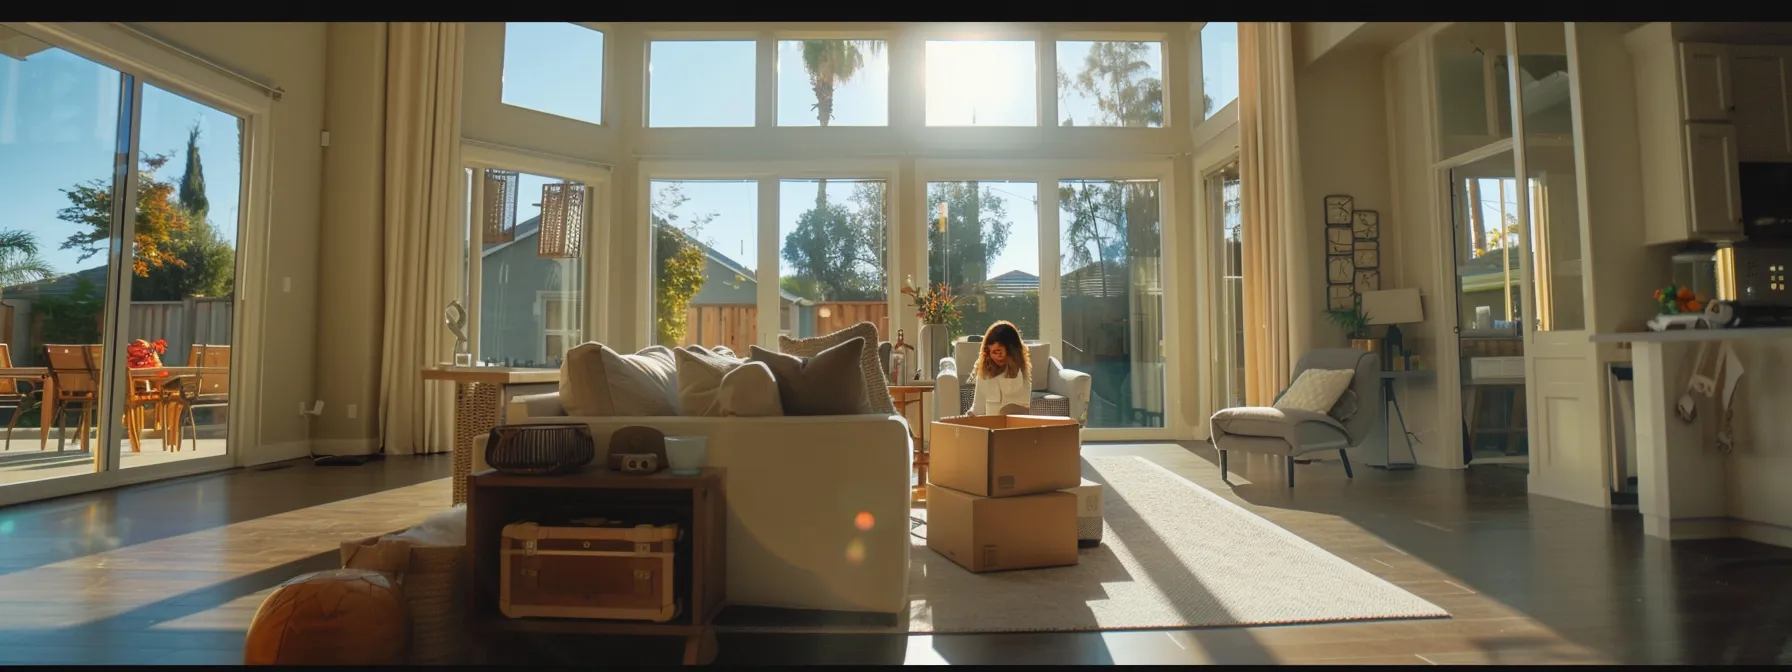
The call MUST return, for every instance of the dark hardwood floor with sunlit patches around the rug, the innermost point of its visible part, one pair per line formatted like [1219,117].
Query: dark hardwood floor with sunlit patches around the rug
[173,573]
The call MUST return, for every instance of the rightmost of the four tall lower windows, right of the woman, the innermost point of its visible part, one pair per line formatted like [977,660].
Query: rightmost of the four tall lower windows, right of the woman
[1112,297]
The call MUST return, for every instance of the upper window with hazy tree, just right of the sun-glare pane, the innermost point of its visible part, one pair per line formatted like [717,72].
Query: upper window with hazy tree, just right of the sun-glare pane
[1110,83]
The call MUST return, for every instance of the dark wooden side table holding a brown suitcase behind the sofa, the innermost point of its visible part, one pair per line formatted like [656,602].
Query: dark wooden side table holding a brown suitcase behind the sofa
[497,499]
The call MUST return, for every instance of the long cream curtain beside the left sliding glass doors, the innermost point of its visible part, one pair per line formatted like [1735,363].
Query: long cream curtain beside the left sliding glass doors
[422,252]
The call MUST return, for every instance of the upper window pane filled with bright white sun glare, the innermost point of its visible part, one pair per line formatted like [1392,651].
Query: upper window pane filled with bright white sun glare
[983,83]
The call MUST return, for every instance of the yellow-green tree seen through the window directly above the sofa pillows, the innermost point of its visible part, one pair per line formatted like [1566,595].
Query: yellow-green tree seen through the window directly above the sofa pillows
[680,263]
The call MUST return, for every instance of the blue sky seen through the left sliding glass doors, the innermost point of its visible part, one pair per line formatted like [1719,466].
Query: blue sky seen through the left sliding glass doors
[58,130]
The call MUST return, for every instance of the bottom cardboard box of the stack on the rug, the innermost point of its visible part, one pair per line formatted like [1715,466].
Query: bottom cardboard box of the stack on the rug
[1003,533]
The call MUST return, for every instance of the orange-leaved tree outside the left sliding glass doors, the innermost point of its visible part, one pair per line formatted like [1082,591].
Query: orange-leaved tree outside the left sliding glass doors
[159,220]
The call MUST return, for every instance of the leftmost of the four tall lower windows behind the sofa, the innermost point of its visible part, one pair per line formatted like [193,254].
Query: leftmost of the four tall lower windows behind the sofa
[705,252]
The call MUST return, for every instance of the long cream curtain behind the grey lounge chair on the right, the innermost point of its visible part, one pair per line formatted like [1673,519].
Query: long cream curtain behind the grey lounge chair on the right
[1279,295]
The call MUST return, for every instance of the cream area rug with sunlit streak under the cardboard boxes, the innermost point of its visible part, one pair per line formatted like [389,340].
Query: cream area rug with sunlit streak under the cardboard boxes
[1173,556]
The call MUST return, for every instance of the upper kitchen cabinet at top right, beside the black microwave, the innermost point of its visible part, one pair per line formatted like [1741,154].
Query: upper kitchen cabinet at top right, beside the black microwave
[1687,137]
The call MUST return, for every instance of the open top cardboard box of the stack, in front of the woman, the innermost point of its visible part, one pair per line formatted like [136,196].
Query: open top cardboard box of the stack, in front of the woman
[1006,456]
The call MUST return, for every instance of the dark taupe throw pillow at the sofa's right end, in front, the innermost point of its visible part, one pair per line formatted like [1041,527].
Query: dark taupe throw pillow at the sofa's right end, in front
[829,384]
